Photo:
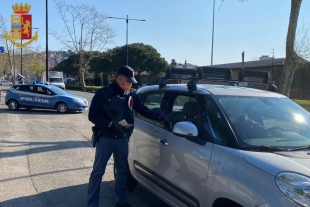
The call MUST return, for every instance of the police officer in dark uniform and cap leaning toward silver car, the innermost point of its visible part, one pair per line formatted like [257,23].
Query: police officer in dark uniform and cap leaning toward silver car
[110,111]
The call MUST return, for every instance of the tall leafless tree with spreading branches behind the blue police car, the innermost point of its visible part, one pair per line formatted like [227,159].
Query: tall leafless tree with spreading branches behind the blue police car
[84,32]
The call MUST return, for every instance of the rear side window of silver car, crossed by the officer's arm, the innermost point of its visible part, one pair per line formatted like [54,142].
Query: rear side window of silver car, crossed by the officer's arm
[153,101]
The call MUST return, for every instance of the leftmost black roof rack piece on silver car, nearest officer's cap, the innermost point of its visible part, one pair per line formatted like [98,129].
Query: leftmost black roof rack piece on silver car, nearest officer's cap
[177,74]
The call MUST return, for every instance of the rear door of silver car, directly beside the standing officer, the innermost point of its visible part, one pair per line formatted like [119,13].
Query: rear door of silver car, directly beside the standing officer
[143,144]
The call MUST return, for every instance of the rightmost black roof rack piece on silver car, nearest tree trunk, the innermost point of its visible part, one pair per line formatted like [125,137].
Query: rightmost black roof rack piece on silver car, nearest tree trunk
[254,76]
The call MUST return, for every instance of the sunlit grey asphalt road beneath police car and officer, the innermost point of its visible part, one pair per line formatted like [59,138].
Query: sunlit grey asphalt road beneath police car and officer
[46,160]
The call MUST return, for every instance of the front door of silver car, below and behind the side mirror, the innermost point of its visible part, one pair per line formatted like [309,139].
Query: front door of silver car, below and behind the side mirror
[182,167]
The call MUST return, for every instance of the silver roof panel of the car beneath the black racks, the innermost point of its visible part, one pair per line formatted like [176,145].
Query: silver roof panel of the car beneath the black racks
[214,90]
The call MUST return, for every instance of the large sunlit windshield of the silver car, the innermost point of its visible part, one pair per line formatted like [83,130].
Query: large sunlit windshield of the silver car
[266,121]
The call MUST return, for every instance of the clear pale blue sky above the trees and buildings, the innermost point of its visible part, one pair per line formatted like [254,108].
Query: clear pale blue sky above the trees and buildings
[182,29]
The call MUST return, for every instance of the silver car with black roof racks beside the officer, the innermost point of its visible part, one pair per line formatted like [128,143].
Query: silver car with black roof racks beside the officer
[224,146]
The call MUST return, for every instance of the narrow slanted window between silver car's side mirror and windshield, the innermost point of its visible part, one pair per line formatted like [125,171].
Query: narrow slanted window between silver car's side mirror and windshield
[215,123]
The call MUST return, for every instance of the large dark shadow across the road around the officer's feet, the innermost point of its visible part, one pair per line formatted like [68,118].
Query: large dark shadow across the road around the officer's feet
[76,196]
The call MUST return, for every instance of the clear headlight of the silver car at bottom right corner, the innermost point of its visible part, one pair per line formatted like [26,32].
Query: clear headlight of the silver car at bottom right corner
[295,186]
